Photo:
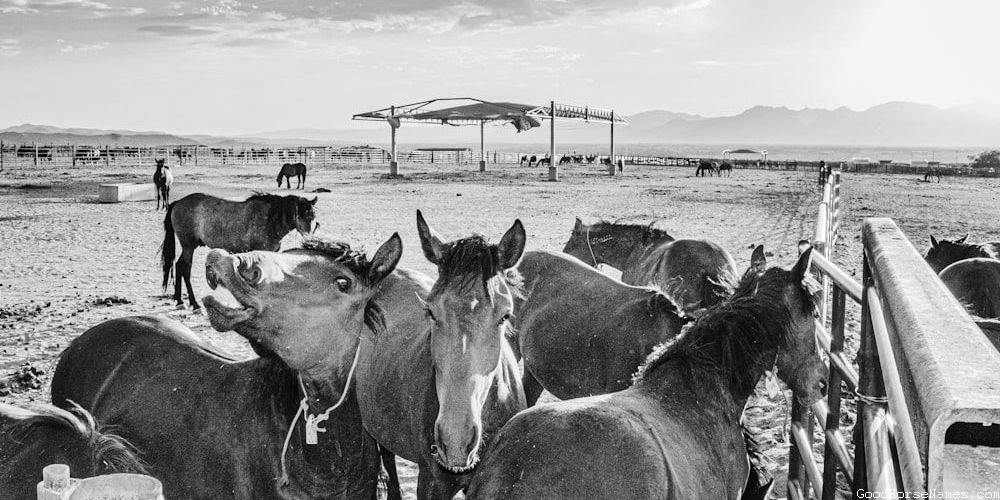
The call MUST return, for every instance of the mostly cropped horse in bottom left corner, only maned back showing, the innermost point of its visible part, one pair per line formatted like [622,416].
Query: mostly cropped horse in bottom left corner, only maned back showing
[34,437]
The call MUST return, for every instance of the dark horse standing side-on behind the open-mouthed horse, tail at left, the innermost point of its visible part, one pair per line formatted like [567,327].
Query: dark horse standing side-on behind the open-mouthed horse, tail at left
[198,219]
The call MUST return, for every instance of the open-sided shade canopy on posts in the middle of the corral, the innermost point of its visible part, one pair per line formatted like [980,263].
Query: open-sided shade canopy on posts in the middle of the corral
[459,111]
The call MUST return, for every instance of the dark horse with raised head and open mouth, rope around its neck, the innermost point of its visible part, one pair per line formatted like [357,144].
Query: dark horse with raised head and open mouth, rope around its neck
[213,427]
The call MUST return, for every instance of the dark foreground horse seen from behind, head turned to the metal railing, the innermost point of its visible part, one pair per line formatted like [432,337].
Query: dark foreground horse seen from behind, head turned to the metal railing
[675,433]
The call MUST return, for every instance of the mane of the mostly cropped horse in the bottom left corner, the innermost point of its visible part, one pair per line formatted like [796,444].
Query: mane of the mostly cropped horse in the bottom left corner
[108,452]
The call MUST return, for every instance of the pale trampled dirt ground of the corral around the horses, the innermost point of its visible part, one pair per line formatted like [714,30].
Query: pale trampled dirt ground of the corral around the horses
[68,262]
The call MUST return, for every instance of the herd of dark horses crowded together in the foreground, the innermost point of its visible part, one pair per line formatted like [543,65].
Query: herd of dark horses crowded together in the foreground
[360,361]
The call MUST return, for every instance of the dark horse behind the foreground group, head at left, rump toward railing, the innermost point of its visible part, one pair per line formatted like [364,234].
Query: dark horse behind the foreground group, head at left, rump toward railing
[695,273]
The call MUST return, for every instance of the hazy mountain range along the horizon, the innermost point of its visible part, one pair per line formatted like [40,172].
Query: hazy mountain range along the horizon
[889,124]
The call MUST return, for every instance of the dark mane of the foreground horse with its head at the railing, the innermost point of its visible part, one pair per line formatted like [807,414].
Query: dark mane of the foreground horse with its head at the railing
[734,335]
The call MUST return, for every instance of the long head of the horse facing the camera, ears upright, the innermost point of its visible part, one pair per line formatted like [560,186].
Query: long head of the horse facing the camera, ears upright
[468,311]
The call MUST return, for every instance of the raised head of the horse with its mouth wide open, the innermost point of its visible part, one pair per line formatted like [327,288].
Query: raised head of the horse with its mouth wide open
[306,305]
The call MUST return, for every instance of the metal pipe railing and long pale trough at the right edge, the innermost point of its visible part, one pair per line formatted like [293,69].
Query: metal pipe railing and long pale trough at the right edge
[929,383]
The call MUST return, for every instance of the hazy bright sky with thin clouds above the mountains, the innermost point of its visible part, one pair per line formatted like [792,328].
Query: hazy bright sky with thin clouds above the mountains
[229,66]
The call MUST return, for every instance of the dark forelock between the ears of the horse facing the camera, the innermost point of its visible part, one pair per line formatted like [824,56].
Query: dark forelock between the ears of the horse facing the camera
[471,260]
